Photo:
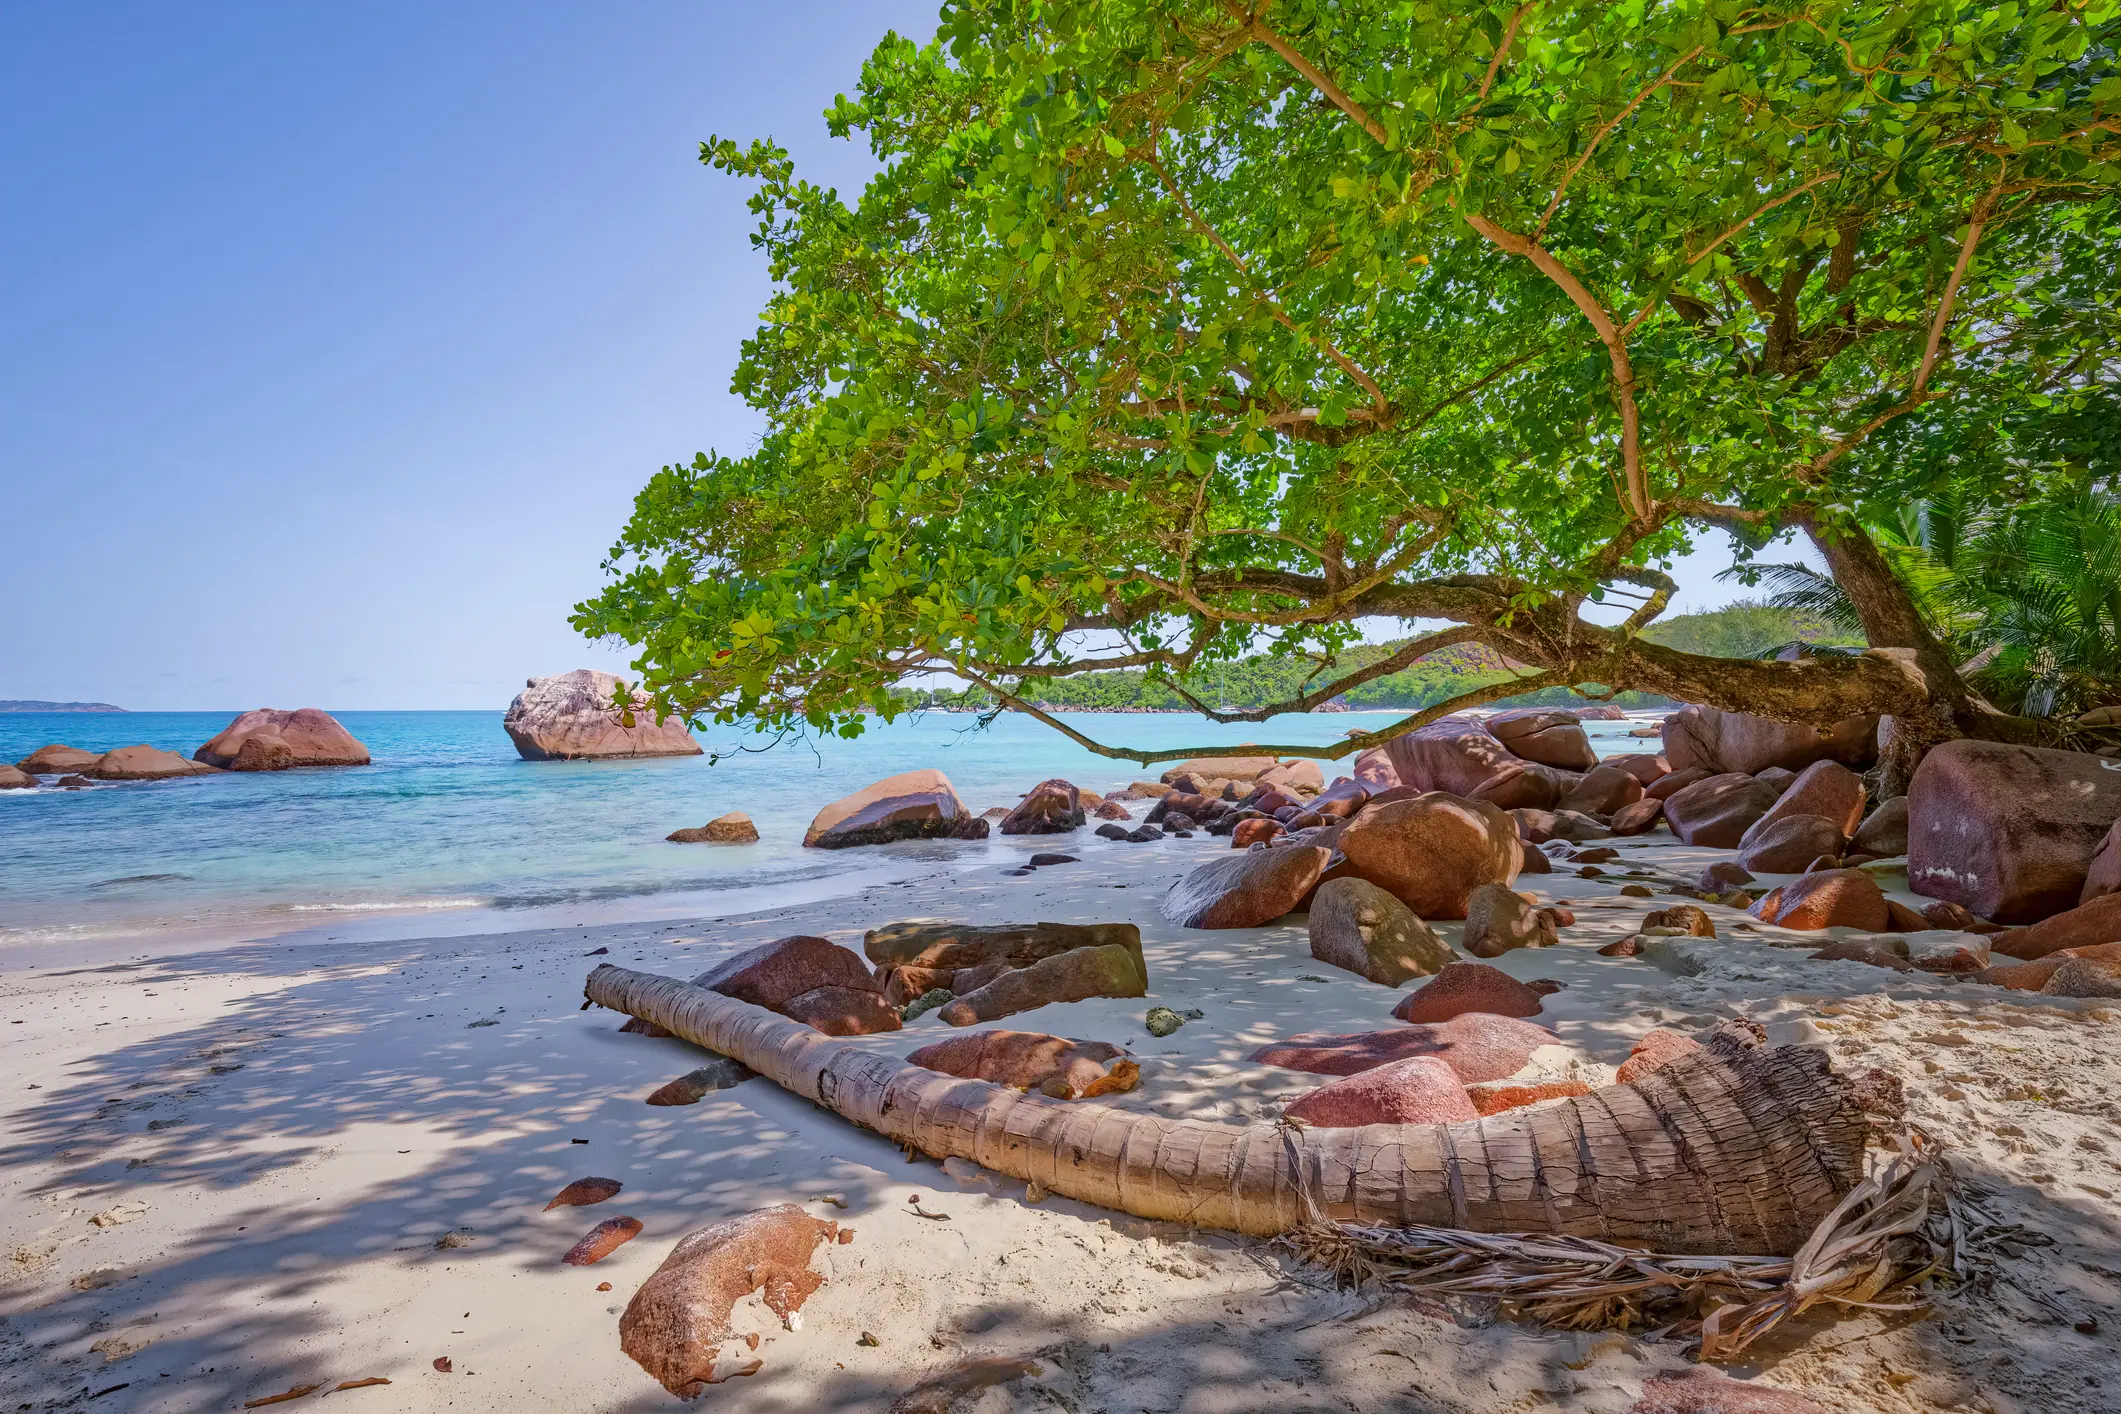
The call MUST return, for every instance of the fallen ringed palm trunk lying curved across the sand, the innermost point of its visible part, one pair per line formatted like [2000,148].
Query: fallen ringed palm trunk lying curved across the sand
[1728,1150]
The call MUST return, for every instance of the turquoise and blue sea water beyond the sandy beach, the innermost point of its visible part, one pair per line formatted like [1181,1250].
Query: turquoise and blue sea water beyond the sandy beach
[453,826]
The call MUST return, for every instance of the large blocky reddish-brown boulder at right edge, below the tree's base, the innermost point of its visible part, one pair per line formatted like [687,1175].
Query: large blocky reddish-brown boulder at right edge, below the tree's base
[2008,832]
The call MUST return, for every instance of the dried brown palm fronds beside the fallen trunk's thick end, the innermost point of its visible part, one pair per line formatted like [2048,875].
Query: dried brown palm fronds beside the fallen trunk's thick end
[1891,1233]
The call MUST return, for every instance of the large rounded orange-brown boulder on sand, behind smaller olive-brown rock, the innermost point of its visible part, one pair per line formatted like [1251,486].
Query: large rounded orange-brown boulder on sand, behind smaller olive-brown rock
[1433,851]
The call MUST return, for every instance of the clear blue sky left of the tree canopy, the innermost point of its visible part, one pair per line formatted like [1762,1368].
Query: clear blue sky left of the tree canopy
[343,336]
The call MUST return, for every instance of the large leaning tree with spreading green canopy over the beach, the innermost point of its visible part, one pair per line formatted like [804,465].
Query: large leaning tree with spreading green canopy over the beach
[1170,330]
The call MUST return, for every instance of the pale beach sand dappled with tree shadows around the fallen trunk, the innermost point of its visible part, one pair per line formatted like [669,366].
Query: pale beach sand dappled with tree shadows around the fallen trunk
[226,1176]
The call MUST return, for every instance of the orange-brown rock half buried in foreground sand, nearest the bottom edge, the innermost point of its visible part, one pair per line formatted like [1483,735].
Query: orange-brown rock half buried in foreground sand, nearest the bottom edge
[680,1320]
